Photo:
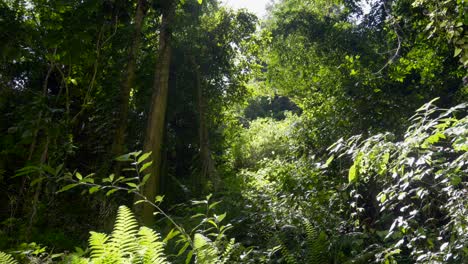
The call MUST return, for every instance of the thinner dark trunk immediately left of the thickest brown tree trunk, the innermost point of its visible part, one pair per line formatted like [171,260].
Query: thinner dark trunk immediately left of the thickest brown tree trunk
[124,97]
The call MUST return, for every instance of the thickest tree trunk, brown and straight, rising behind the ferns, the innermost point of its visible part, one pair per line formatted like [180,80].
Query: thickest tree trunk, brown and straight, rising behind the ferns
[156,118]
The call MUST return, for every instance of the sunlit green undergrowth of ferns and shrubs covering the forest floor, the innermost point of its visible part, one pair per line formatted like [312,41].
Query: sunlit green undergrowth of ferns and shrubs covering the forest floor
[374,199]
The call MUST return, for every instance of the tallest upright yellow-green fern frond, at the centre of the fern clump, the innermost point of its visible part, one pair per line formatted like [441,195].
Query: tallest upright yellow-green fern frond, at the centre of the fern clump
[124,236]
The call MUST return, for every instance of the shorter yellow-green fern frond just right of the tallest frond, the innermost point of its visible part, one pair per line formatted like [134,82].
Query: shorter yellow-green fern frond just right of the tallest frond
[151,248]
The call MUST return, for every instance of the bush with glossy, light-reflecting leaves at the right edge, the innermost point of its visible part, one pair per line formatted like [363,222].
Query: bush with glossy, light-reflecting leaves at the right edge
[412,193]
